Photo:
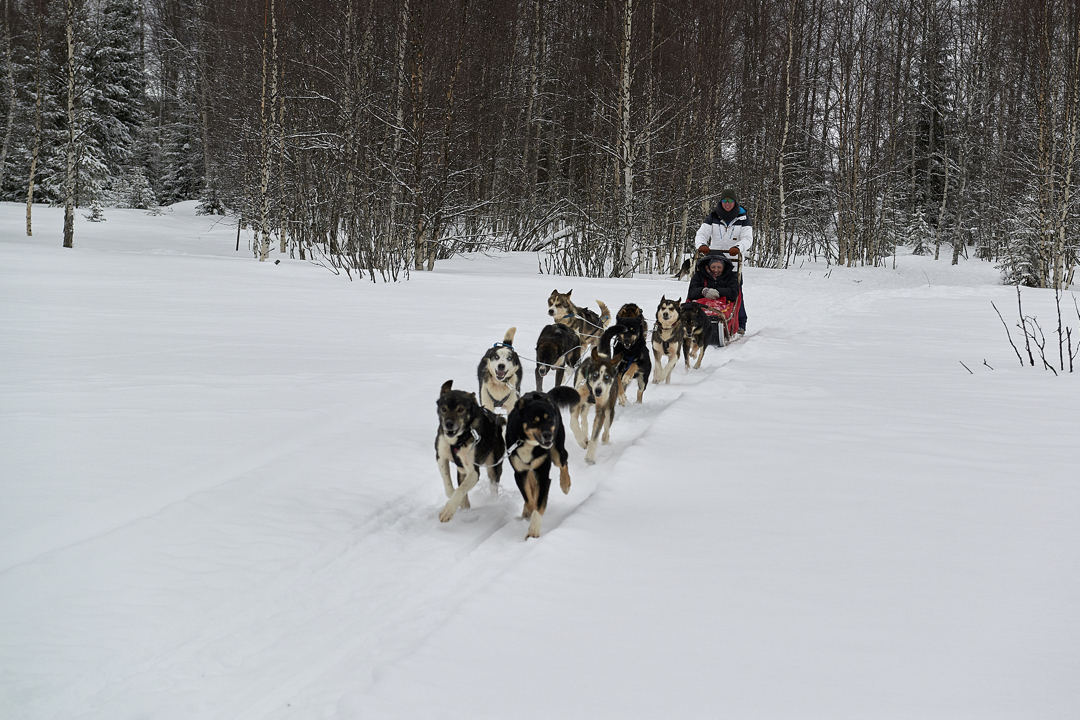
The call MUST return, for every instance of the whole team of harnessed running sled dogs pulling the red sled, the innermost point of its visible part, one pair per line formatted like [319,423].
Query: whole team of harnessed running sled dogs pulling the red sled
[471,436]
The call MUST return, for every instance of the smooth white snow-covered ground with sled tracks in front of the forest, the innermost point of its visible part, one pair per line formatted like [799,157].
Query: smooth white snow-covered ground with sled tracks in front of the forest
[219,498]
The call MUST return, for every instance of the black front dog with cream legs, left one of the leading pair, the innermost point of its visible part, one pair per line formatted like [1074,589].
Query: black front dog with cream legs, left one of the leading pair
[470,438]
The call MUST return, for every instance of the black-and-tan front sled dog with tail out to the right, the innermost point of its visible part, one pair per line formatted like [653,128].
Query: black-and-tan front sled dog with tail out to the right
[537,441]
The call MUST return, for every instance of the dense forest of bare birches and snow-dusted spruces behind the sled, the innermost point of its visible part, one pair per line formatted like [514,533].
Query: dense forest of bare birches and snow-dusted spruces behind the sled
[379,137]
